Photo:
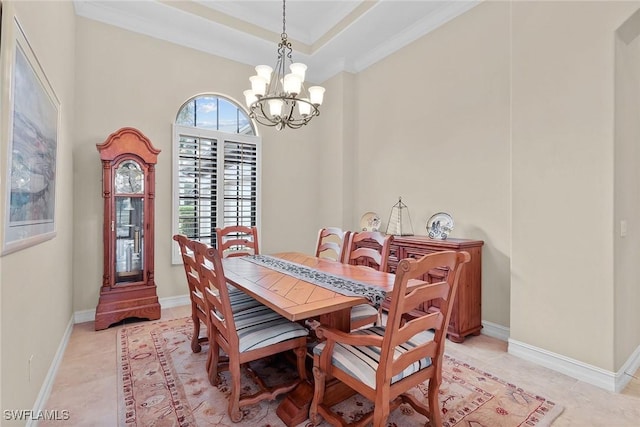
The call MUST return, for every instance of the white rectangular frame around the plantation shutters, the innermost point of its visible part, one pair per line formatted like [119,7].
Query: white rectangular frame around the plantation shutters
[221,137]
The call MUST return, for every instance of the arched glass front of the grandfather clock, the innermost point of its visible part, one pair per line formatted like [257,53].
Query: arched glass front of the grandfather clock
[129,222]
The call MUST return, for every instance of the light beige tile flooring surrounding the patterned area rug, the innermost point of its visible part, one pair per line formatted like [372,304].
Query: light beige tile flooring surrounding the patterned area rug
[86,381]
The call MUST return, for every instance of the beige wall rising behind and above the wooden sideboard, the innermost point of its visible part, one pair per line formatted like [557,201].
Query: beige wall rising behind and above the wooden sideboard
[433,127]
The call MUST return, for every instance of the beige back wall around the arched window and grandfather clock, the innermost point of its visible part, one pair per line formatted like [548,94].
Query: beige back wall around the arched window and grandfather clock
[117,85]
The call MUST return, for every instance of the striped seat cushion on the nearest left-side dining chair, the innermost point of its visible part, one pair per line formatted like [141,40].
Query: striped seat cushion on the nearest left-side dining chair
[260,326]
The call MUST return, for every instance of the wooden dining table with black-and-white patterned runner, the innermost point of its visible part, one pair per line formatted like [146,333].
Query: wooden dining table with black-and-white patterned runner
[299,287]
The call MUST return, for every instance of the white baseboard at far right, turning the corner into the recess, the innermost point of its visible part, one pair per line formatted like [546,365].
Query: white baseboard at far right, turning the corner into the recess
[608,380]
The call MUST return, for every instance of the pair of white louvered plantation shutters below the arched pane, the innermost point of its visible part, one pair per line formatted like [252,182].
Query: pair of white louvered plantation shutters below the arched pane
[216,183]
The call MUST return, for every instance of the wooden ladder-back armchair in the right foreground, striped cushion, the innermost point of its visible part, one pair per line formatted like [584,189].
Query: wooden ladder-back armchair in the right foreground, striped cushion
[382,363]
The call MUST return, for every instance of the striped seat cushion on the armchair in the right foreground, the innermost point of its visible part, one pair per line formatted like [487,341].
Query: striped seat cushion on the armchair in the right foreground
[361,362]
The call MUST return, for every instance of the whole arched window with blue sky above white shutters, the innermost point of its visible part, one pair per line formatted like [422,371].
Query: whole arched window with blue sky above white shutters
[216,168]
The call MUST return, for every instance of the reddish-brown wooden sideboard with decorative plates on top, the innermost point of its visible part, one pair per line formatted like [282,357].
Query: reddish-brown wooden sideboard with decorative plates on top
[466,316]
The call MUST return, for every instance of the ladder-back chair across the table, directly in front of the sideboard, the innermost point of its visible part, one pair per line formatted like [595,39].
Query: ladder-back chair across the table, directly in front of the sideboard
[367,249]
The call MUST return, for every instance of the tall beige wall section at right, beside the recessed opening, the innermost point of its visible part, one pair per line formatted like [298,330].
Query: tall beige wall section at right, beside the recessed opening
[562,266]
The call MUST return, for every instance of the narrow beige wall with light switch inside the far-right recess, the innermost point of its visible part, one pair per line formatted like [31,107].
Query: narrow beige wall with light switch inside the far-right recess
[626,194]
